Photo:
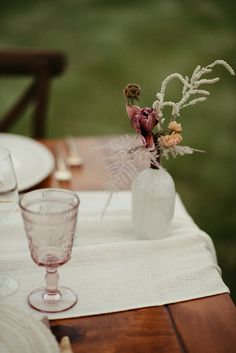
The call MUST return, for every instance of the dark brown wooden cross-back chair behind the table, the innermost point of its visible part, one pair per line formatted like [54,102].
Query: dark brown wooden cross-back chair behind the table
[42,66]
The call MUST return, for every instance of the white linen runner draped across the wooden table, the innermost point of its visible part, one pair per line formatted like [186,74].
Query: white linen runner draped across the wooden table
[110,269]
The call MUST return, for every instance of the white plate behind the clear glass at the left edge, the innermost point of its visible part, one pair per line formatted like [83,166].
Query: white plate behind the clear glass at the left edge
[33,162]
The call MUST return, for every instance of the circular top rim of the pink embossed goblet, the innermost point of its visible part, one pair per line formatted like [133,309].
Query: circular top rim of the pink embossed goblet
[65,191]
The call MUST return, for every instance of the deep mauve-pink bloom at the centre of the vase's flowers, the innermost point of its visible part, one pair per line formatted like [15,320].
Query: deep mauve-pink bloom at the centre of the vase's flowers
[143,120]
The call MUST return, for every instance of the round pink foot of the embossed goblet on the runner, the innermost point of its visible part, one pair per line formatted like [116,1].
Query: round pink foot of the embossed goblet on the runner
[65,301]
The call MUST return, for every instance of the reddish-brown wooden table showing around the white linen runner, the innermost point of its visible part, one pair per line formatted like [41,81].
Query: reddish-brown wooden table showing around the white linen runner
[206,325]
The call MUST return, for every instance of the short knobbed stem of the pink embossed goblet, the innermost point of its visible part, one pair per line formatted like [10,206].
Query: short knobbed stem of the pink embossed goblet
[52,278]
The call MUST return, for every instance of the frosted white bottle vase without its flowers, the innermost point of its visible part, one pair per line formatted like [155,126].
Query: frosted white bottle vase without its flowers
[153,203]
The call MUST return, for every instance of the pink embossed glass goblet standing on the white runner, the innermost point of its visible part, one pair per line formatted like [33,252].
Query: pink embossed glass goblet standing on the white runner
[50,219]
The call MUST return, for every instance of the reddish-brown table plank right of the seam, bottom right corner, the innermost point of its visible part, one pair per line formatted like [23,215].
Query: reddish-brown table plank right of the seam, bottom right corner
[206,325]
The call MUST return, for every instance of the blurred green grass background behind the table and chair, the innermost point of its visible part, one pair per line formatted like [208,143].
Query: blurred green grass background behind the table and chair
[112,42]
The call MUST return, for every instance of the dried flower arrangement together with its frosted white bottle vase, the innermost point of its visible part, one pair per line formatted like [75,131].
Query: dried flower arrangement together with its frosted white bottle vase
[153,190]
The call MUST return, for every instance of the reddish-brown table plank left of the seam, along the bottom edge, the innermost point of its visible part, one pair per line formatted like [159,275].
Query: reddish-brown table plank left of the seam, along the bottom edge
[146,330]
